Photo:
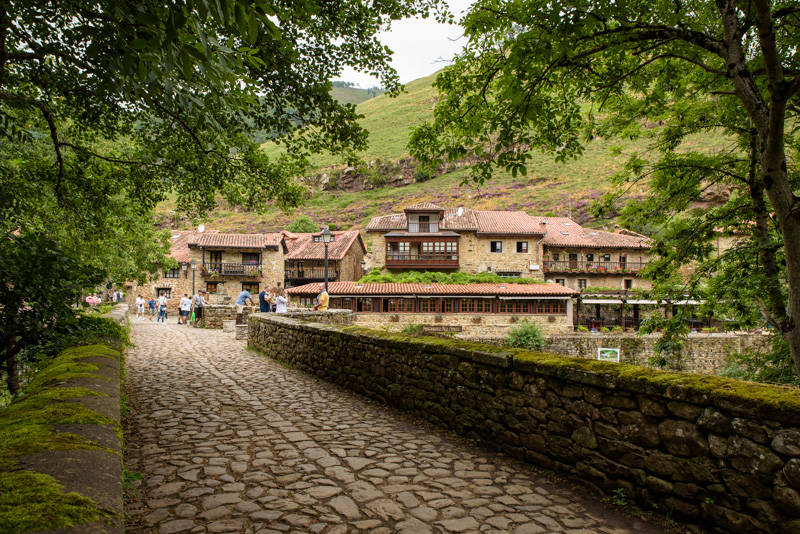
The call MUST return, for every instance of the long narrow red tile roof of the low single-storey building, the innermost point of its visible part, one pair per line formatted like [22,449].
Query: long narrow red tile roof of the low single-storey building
[354,288]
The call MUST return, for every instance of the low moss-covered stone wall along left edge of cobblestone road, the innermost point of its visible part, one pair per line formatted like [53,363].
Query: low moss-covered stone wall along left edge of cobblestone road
[61,447]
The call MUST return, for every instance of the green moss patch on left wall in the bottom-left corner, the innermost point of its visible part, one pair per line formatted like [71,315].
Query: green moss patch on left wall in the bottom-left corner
[32,501]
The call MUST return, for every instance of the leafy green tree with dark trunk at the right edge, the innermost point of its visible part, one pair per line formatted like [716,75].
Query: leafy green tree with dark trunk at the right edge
[551,75]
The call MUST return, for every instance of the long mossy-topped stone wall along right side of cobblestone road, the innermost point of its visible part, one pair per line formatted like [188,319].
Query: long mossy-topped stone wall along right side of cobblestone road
[715,452]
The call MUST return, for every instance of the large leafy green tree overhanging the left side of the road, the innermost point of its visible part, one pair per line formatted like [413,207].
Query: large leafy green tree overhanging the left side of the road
[107,108]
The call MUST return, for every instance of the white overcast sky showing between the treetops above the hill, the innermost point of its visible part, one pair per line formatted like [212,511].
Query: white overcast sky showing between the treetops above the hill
[419,45]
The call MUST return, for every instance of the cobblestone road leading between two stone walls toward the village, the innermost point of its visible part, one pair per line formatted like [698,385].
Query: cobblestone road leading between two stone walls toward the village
[229,441]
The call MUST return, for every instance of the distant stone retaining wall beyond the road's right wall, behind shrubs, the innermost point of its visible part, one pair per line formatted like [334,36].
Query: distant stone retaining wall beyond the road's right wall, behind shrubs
[702,353]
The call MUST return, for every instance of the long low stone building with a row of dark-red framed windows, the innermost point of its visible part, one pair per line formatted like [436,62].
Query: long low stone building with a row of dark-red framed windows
[473,310]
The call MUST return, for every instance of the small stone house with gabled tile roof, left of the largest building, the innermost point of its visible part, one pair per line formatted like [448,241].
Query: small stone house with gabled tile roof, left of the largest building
[305,260]
